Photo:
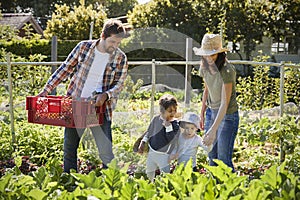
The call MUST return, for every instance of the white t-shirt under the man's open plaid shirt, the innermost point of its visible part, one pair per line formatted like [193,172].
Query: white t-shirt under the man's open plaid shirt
[94,79]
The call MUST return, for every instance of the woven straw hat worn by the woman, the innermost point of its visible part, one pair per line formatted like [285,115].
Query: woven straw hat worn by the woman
[211,44]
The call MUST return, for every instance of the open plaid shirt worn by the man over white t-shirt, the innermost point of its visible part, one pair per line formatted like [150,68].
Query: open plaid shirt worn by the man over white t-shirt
[77,66]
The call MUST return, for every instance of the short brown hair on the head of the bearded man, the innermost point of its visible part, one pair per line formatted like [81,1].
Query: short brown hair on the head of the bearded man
[113,27]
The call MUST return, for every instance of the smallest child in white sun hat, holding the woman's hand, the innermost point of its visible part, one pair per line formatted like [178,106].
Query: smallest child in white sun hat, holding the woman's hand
[189,141]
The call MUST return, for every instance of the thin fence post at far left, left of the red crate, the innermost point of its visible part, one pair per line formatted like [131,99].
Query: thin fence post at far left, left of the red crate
[11,107]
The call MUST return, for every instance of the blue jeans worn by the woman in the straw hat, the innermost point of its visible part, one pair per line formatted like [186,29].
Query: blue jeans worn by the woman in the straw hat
[226,134]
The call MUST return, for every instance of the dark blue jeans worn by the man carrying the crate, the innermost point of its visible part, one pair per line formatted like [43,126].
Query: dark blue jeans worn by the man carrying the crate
[103,138]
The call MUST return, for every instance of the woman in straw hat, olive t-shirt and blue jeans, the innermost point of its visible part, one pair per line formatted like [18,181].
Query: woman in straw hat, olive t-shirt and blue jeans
[219,104]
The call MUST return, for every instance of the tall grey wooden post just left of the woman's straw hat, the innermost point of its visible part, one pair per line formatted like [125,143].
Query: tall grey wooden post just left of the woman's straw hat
[188,73]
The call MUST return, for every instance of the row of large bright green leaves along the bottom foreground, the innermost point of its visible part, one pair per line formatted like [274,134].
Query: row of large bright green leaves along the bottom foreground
[219,183]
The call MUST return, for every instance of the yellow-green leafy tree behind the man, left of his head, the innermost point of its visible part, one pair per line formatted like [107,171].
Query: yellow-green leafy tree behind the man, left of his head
[75,24]
